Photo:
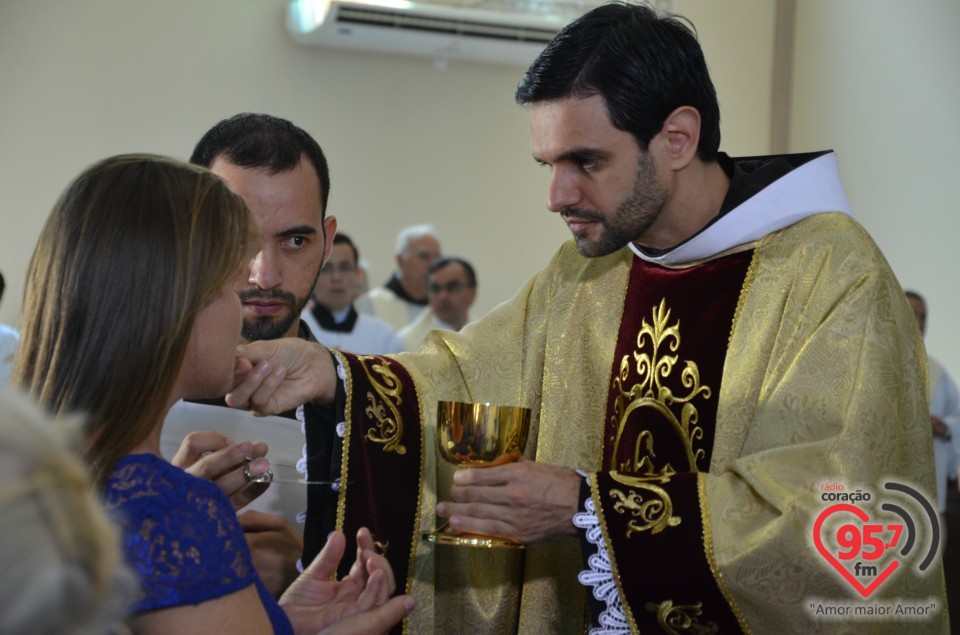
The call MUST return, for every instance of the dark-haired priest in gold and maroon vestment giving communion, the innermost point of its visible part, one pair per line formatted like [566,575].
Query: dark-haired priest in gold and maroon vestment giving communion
[719,351]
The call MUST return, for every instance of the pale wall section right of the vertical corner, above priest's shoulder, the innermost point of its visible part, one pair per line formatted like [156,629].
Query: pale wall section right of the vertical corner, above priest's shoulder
[878,81]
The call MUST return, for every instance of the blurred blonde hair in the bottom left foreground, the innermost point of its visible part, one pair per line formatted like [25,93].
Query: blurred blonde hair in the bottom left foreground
[60,555]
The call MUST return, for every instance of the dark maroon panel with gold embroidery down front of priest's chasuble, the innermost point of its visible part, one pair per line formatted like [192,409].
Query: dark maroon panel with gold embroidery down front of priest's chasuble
[660,421]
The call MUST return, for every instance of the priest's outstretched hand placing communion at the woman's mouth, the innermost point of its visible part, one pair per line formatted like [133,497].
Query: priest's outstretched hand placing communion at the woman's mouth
[273,376]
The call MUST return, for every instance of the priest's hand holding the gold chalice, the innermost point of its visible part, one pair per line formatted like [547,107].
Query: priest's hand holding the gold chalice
[526,502]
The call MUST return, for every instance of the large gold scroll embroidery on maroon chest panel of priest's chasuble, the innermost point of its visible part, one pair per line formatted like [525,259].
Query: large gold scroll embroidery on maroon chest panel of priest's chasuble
[654,364]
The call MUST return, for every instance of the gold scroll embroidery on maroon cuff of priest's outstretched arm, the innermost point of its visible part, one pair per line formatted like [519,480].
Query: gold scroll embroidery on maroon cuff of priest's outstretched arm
[383,404]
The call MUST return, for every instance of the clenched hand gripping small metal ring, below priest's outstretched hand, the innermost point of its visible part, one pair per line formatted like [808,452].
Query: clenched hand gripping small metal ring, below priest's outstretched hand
[215,457]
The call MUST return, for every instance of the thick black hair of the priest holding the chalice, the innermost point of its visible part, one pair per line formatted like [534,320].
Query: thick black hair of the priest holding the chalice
[643,66]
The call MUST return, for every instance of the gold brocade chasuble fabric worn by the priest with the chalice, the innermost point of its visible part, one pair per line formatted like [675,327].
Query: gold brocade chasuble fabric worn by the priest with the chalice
[819,382]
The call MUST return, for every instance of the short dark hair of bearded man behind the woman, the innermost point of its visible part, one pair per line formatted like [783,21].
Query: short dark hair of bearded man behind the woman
[252,140]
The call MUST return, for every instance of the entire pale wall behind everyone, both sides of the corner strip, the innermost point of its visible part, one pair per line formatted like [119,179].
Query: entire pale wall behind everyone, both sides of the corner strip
[83,79]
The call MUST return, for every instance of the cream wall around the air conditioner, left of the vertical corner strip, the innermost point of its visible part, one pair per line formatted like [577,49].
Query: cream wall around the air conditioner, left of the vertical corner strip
[83,79]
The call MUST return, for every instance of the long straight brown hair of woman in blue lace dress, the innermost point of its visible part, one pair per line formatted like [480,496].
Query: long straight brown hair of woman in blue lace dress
[134,249]
